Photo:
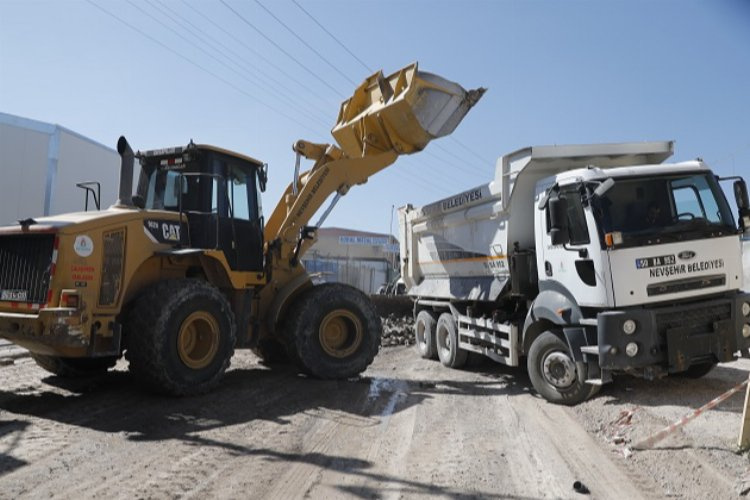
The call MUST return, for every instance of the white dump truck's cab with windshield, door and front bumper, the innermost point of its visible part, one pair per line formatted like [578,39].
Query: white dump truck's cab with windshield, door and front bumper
[653,255]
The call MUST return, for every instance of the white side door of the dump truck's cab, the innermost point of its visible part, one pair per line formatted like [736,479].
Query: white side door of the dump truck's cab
[578,265]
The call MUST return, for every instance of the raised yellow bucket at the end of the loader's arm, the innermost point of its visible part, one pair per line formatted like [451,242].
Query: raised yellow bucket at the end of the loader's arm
[402,112]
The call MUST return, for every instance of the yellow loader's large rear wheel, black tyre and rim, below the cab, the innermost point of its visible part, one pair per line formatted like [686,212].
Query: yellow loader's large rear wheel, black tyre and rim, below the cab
[181,337]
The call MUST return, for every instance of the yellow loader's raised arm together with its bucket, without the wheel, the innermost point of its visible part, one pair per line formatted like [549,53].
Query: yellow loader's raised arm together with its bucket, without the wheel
[386,117]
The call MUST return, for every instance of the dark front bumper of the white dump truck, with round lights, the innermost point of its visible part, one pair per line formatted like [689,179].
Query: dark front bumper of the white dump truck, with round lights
[675,337]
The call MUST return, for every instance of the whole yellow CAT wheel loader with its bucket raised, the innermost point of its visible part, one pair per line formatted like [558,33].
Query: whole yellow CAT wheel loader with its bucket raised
[179,274]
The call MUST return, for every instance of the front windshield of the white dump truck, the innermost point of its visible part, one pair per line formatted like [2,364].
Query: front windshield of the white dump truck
[669,208]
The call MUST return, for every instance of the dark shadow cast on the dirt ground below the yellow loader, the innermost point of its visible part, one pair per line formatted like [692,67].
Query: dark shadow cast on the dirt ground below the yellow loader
[114,404]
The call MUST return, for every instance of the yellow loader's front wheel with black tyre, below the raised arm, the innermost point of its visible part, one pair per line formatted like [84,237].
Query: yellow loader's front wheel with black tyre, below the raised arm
[336,331]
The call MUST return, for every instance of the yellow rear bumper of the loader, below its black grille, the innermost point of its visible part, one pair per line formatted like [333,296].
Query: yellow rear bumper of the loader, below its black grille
[57,331]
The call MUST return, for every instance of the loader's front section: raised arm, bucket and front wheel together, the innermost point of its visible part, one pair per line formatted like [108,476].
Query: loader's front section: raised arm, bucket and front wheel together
[331,330]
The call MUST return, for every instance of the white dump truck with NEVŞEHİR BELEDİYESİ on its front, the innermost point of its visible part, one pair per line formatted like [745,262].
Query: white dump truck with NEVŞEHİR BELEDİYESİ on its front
[587,261]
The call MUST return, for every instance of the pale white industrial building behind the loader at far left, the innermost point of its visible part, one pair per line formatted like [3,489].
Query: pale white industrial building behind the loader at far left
[42,163]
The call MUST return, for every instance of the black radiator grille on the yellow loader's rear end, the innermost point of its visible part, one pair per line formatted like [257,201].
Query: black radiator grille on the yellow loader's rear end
[25,267]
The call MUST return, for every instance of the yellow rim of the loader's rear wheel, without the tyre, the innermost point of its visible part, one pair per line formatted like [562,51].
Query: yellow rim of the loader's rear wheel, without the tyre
[198,340]
